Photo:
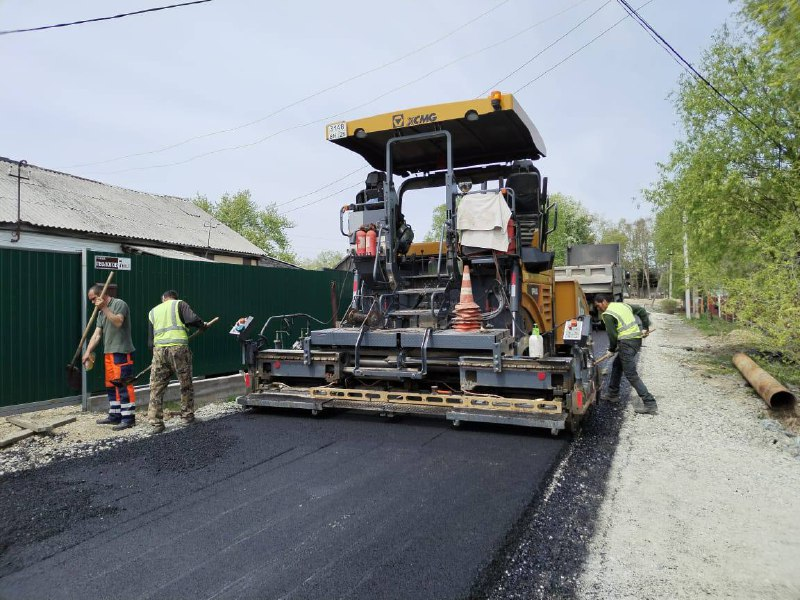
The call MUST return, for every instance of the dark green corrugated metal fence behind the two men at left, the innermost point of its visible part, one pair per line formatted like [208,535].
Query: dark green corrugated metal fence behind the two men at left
[40,308]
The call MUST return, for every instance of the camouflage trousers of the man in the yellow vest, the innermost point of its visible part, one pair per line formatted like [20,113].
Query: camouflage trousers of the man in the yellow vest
[169,361]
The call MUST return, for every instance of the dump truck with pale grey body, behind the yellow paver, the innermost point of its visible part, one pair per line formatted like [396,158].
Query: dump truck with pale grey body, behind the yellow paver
[598,270]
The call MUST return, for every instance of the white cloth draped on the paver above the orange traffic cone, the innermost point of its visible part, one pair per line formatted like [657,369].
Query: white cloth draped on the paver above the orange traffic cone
[482,221]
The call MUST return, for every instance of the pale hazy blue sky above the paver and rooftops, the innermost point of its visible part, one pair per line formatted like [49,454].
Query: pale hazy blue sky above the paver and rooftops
[234,94]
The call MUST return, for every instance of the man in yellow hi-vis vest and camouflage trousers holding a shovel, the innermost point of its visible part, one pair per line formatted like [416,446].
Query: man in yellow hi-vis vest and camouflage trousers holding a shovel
[168,337]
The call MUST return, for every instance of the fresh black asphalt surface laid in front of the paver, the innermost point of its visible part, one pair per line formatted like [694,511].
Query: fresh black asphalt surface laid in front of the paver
[278,504]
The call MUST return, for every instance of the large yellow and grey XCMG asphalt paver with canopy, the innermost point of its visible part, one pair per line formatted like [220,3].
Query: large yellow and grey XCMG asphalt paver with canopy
[444,327]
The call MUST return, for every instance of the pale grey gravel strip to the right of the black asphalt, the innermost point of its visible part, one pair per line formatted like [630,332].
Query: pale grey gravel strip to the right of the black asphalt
[701,500]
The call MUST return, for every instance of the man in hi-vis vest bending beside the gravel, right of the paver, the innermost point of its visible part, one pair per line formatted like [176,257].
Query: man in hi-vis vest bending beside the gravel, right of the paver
[625,337]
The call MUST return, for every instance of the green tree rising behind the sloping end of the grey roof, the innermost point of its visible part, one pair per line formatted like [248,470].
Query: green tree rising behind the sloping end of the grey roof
[264,227]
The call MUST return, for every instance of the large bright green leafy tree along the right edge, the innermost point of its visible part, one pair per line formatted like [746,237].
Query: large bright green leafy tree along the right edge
[733,181]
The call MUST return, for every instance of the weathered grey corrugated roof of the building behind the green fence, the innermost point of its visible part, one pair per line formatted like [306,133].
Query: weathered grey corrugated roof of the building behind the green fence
[61,201]
